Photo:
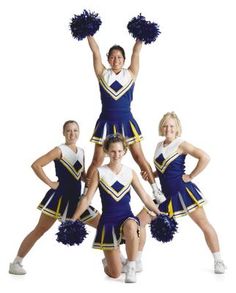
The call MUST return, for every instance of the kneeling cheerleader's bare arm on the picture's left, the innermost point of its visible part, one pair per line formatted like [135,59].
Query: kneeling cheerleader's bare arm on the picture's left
[87,198]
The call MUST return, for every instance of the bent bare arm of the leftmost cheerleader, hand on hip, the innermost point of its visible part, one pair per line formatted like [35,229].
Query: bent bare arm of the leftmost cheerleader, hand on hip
[38,165]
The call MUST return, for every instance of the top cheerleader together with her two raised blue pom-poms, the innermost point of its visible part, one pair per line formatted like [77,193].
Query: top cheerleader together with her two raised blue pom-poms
[116,87]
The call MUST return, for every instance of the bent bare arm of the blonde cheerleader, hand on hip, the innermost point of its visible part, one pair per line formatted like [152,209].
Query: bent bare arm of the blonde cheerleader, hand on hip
[203,159]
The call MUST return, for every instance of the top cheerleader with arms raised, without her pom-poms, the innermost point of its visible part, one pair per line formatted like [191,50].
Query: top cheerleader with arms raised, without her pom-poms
[116,87]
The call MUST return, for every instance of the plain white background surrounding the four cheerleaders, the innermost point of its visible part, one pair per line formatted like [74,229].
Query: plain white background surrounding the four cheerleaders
[47,77]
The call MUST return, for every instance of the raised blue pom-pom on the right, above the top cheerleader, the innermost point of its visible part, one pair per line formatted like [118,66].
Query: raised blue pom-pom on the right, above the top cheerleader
[143,30]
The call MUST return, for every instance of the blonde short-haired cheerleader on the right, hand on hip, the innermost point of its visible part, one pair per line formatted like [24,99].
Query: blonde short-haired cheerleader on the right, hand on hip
[183,196]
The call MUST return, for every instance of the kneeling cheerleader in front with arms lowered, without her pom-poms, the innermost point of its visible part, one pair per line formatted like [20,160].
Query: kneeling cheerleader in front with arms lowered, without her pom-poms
[117,222]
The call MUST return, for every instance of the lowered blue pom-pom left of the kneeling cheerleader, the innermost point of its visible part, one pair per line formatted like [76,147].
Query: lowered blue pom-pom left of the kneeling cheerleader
[71,232]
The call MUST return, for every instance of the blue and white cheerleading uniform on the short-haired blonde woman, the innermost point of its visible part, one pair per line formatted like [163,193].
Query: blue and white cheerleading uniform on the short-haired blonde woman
[182,197]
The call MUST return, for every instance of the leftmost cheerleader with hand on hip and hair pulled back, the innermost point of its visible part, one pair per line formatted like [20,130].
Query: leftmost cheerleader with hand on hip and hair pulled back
[61,200]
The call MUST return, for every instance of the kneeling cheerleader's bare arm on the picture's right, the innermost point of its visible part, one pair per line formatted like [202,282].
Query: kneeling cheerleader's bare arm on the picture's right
[146,198]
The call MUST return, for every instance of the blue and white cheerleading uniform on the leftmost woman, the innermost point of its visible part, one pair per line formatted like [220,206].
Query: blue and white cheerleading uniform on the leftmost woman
[62,202]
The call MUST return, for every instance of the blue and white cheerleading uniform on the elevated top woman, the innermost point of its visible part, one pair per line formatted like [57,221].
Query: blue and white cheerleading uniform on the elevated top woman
[116,95]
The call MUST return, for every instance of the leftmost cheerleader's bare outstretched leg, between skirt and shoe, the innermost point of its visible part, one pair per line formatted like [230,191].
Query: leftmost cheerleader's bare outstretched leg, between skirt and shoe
[44,224]
